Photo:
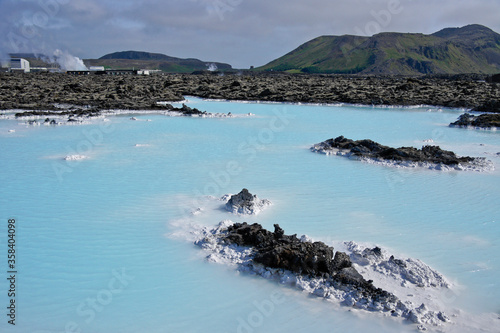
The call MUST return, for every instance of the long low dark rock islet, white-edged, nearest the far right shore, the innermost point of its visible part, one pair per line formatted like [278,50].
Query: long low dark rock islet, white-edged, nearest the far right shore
[432,157]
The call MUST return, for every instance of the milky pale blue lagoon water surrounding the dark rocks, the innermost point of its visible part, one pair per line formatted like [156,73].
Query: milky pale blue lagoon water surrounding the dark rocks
[94,237]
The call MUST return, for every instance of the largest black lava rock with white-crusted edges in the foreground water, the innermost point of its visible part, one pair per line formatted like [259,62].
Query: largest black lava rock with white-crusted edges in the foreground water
[309,266]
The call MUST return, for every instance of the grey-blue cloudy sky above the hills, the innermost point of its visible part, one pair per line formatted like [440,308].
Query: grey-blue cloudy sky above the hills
[242,33]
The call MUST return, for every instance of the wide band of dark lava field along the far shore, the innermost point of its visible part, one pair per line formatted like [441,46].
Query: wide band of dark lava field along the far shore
[51,92]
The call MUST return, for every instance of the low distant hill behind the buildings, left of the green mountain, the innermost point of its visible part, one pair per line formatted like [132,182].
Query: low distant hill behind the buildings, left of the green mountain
[147,60]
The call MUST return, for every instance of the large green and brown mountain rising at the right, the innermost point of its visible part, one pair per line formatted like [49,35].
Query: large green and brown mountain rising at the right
[470,49]
